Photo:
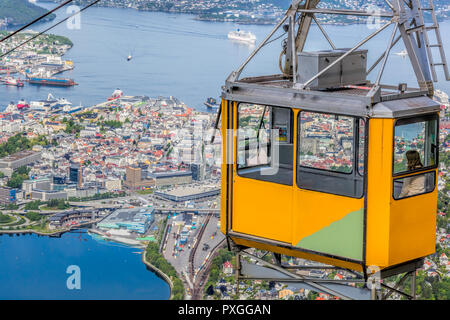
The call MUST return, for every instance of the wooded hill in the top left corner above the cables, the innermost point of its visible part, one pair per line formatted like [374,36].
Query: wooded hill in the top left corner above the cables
[20,12]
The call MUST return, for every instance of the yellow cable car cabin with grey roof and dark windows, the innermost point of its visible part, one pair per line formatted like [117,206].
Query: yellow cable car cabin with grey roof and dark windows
[330,176]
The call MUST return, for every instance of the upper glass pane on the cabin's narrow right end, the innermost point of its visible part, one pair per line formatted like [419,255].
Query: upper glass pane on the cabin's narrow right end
[415,145]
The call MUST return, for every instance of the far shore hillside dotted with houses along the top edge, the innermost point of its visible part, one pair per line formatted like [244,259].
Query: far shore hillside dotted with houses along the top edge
[258,11]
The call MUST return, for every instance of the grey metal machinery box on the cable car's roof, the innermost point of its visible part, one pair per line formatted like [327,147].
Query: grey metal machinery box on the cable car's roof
[350,71]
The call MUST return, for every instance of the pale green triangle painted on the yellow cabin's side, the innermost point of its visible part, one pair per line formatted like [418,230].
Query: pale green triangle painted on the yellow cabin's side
[343,238]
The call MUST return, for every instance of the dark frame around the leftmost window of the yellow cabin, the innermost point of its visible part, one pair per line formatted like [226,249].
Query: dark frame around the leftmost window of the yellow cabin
[236,149]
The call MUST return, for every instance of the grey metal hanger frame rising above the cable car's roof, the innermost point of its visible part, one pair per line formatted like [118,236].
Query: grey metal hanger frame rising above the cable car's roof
[407,19]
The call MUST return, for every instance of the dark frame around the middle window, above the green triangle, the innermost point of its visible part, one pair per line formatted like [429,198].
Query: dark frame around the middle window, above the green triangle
[354,174]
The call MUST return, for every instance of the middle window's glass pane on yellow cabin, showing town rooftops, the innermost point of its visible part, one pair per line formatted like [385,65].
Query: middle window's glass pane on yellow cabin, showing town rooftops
[326,142]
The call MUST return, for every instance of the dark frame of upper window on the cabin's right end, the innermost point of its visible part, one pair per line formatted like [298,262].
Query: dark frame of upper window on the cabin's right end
[411,120]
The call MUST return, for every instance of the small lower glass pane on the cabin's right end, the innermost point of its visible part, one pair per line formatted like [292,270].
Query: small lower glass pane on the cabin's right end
[414,185]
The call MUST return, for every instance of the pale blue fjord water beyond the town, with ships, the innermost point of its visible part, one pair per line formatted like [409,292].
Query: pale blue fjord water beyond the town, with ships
[176,55]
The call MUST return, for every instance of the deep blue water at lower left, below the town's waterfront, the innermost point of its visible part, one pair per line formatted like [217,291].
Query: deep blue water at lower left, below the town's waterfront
[33,267]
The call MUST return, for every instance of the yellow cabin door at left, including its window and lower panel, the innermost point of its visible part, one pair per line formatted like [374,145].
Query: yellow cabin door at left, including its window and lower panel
[262,183]
